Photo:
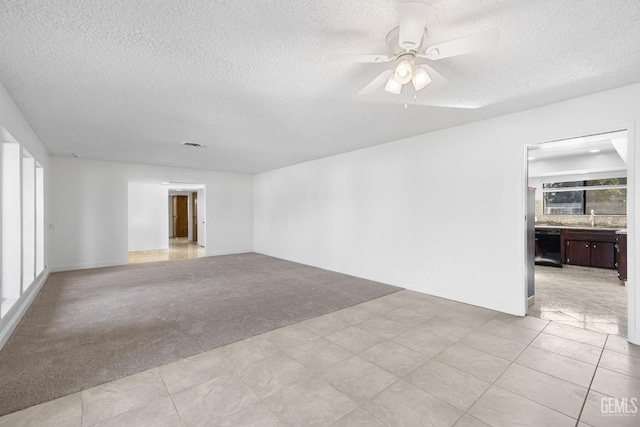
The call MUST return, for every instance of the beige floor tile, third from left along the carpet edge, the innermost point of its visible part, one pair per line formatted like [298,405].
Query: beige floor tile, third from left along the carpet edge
[193,370]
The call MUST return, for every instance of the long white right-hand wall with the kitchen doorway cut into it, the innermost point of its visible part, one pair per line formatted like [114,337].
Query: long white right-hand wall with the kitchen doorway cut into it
[441,213]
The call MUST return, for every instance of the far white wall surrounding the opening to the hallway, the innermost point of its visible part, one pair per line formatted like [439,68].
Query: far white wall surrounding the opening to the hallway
[89,211]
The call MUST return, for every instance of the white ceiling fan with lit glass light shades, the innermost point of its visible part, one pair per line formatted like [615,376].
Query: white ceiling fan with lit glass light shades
[407,47]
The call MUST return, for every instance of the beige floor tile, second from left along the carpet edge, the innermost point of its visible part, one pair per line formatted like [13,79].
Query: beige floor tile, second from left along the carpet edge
[117,397]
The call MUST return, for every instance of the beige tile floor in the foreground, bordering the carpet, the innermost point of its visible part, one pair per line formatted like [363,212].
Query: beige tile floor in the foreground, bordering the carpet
[406,359]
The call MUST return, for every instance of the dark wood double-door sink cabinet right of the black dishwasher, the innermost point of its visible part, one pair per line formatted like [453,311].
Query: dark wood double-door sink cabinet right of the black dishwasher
[591,248]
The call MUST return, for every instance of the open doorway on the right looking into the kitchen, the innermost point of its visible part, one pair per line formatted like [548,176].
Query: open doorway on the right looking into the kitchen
[580,216]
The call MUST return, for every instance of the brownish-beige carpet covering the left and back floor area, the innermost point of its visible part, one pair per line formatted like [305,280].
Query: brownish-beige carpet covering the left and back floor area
[88,327]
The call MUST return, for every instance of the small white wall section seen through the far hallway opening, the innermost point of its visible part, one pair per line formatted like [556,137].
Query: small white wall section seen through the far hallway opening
[148,217]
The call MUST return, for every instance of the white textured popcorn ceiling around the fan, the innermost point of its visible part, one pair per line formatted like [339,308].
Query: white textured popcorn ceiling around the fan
[253,82]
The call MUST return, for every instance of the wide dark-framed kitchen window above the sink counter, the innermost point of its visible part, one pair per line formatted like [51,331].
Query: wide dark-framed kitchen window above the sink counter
[603,196]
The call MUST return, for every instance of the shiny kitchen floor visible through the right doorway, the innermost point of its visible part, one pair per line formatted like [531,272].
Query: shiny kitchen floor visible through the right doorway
[584,297]
